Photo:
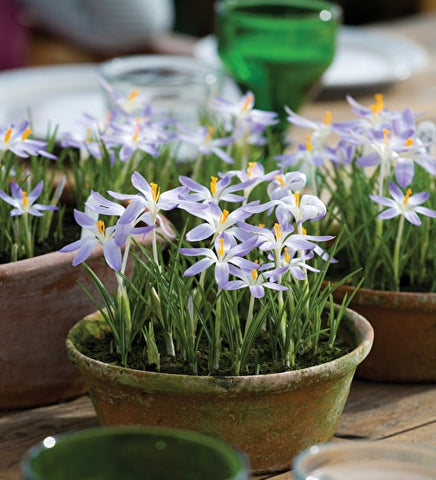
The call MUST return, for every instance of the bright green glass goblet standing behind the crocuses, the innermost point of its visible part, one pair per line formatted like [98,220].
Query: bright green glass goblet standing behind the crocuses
[278,49]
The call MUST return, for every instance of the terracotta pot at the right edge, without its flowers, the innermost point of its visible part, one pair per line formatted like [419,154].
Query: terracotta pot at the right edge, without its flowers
[404,325]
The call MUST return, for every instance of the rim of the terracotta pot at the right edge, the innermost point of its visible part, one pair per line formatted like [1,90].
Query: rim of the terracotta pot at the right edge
[398,298]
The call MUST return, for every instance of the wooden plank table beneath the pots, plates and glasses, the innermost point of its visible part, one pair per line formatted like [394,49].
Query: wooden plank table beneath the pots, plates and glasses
[374,410]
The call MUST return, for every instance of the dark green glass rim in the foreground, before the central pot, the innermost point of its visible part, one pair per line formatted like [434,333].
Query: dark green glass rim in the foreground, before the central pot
[134,453]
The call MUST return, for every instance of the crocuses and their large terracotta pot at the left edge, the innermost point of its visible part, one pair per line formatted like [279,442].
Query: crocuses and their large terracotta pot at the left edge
[41,292]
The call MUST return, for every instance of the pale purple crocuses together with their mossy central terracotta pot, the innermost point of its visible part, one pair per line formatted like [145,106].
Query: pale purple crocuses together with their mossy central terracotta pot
[229,331]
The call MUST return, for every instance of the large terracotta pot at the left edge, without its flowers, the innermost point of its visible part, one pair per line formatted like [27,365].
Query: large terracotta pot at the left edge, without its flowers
[40,300]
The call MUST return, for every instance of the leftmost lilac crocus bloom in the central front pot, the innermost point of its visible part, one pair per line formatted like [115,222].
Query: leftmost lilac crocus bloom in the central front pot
[94,232]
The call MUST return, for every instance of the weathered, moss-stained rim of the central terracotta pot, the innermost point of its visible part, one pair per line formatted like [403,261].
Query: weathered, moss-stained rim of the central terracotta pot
[227,384]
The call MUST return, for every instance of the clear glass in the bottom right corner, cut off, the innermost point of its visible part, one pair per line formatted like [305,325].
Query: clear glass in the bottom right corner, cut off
[366,460]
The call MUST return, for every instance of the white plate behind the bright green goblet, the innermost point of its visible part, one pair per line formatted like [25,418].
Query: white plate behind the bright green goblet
[365,57]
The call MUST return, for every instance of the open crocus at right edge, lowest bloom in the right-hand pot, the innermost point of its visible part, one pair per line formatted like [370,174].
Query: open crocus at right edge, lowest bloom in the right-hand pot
[407,205]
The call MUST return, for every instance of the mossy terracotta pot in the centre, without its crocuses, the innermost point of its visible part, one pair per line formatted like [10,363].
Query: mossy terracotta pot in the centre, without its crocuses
[269,417]
